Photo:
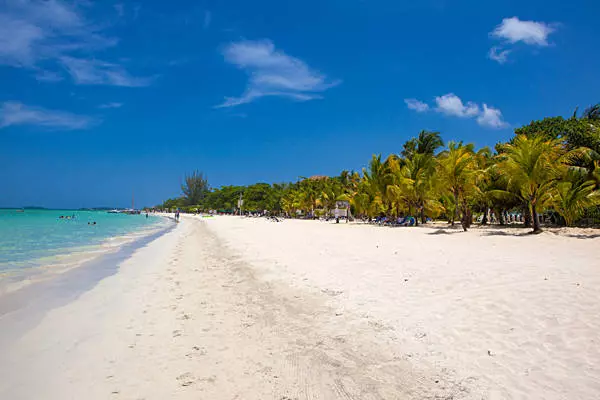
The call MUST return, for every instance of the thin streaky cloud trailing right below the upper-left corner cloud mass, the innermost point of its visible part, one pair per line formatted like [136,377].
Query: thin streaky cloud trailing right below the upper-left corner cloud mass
[95,72]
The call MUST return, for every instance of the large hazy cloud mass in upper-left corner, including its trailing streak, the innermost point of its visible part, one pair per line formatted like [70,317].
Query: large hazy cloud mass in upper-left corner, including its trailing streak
[45,34]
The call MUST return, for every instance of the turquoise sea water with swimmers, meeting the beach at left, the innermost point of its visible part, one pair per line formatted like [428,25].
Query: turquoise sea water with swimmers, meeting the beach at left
[34,238]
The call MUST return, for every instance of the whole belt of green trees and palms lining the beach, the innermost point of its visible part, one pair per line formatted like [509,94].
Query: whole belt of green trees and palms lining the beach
[549,167]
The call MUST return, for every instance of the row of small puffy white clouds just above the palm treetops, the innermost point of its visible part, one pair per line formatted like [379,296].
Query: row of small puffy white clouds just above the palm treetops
[452,105]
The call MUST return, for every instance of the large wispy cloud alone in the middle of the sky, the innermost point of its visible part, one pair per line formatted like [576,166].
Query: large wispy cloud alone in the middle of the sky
[273,73]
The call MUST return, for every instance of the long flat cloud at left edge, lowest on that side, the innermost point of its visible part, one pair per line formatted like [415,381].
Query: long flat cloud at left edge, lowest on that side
[15,113]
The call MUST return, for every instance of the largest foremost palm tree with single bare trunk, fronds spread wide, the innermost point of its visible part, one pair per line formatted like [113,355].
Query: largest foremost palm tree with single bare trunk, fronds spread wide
[533,166]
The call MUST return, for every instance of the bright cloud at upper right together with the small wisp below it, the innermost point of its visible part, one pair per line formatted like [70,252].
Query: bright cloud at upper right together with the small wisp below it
[513,30]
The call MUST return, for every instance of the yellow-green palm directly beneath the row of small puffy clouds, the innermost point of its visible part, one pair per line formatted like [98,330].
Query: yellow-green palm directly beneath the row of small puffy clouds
[458,172]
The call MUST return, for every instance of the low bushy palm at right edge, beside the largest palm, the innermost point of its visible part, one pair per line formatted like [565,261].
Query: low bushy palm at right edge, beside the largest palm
[573,195]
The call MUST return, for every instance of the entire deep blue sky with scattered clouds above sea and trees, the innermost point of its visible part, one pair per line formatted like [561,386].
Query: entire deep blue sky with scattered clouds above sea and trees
[100,99]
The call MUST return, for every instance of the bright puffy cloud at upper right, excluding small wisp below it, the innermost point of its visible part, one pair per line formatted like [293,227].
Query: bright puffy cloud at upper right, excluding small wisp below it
[514,30]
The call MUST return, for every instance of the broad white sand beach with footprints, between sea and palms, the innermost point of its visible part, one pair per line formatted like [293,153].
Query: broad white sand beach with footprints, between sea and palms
[243,308]
